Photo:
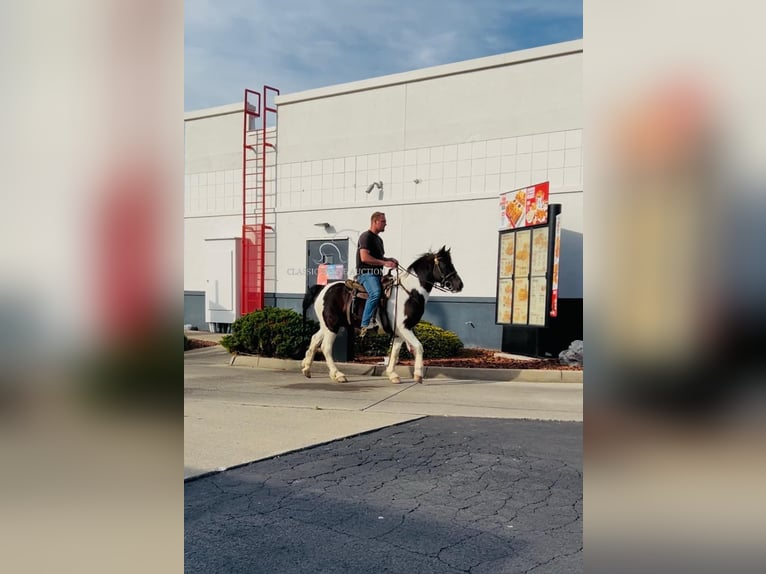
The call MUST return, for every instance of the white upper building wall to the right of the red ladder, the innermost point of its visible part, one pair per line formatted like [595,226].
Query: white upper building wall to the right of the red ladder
[466,132]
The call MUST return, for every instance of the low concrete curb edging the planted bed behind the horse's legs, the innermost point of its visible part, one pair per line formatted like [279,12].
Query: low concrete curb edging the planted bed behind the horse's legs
[405,371]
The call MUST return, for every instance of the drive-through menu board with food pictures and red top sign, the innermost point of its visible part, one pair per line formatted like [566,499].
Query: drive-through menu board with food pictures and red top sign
[526,258]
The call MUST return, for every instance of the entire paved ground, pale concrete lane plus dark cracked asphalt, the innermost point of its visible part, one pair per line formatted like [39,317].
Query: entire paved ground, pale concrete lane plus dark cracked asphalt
[312,476]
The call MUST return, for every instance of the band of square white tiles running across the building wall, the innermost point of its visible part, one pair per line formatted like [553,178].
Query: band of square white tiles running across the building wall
[471,168]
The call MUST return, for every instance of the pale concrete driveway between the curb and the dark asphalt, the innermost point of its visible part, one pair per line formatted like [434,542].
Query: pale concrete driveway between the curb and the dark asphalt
[238,414]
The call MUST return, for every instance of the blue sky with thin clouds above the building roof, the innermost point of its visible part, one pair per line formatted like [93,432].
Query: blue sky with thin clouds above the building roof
[297,45]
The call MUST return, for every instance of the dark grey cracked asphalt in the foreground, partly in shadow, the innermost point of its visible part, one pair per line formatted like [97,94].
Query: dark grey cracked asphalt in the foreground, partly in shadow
[438,494]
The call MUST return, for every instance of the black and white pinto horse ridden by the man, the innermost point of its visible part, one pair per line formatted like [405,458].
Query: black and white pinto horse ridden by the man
[404,309]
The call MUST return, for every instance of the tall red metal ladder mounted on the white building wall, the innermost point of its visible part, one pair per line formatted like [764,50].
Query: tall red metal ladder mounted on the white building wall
[257,146]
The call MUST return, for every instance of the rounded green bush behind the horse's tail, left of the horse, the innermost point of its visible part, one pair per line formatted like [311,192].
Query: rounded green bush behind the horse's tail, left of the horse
[271,332]
